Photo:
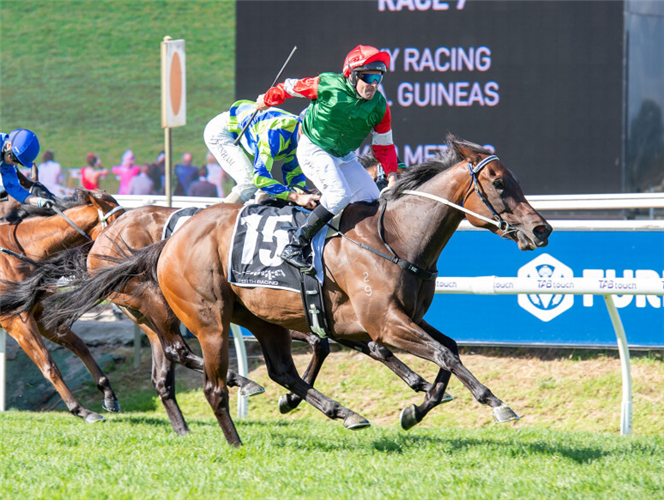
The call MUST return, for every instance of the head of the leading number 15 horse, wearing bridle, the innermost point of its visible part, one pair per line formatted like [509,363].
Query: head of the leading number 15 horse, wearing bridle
[495,194]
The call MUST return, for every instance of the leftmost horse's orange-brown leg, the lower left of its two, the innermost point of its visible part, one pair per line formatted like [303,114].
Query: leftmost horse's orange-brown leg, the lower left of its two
[24,329]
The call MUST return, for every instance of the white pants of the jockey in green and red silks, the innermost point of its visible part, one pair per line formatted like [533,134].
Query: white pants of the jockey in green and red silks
[340,180]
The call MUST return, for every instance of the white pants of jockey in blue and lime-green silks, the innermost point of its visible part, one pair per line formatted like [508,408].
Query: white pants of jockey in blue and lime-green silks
[232,158]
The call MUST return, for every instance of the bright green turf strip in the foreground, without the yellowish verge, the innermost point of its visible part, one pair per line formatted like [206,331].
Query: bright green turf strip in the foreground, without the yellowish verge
[137,456]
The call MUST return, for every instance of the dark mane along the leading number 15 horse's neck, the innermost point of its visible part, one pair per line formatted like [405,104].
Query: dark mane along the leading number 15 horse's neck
[417,175]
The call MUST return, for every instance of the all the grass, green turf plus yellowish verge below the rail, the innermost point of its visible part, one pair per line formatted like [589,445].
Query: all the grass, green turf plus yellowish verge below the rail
[566,446]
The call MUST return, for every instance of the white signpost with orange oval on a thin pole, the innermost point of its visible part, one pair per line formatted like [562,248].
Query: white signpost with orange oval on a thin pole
[173,99]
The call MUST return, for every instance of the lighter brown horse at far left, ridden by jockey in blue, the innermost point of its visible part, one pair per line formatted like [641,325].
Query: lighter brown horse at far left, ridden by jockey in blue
[38,238]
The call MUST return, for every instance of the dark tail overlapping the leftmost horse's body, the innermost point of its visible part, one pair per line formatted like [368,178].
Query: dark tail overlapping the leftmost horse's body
[23,296]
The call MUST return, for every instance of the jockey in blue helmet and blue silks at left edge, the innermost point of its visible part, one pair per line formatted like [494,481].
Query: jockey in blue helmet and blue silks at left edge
[19,147]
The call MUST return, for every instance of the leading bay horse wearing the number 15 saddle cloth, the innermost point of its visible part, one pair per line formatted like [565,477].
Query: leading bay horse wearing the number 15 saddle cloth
[413,221]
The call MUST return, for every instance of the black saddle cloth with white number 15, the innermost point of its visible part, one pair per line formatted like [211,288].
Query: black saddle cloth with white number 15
[261,232]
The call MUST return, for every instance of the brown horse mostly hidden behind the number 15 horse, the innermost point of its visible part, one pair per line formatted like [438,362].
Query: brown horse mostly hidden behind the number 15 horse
[146,305]
